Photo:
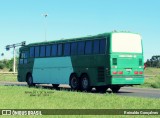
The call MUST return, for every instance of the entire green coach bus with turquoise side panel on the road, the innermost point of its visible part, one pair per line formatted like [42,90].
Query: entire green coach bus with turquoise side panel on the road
[109,60]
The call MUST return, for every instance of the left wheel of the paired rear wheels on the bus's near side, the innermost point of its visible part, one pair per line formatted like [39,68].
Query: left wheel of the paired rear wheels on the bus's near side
[74,82]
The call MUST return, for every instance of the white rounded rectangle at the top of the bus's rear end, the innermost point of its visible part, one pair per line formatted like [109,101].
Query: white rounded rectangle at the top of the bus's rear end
[126,42]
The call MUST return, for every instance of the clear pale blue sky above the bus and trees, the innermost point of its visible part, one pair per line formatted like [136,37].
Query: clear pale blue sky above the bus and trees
[23,20]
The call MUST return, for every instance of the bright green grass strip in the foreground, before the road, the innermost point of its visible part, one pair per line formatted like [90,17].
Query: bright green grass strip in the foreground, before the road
[17,97]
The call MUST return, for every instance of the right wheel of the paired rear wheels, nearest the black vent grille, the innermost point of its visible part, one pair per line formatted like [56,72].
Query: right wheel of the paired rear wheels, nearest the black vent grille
[85,84]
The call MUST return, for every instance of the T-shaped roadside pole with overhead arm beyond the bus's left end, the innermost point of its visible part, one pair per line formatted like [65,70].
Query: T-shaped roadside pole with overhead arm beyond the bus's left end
[14,52]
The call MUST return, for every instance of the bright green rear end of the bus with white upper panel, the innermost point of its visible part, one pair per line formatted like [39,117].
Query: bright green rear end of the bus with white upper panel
[126,57]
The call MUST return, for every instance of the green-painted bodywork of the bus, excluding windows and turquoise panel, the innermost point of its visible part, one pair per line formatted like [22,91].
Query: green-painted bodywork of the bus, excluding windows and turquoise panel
[98,67]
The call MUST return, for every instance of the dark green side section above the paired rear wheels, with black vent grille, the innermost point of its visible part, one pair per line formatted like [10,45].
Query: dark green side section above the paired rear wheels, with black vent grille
[93,65]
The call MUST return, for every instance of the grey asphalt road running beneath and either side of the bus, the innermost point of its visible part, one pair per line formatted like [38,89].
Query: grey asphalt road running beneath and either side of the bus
[125,91]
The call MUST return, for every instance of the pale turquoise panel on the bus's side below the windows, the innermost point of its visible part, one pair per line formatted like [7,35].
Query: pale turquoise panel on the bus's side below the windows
[52,70]
